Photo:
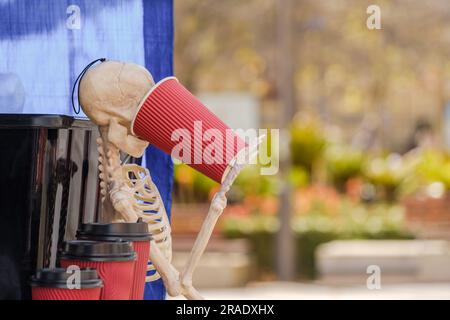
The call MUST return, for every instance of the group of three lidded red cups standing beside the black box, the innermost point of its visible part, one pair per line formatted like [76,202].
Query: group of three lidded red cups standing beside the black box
[112,261]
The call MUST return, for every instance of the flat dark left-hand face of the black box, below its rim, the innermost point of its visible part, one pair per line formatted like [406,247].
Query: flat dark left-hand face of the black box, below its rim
[19,220]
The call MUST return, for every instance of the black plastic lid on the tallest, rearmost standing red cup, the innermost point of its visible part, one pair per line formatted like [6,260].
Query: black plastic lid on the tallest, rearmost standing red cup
[131,231]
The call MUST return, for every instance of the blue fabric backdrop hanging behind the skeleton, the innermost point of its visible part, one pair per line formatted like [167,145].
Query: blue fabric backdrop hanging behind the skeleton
[42,51]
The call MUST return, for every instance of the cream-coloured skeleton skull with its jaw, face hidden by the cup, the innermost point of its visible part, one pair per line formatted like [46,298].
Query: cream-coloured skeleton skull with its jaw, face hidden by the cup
[109,94]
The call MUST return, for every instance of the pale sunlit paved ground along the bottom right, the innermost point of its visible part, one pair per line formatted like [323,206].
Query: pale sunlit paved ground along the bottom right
[303,291]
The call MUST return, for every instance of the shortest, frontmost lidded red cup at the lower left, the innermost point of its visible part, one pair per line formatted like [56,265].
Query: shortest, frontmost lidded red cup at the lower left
[52,284]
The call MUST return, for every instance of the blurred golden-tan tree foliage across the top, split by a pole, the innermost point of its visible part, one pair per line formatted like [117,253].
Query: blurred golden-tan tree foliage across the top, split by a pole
[343,70]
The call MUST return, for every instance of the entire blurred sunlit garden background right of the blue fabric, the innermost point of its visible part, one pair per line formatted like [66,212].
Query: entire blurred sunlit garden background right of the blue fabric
[365,115]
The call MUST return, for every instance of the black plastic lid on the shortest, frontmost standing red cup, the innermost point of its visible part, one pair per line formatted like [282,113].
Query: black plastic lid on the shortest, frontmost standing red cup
[57,278]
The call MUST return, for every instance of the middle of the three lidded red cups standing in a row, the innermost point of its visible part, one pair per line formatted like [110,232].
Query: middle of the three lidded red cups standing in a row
[114,262]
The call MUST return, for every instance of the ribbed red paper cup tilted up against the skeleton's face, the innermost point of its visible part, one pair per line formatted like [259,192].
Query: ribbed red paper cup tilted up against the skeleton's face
[170,106]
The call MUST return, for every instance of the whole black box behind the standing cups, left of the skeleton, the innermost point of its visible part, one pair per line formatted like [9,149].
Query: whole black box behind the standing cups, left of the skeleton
[30,173]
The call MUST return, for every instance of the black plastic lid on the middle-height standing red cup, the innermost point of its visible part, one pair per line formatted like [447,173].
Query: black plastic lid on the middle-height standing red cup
[118,250]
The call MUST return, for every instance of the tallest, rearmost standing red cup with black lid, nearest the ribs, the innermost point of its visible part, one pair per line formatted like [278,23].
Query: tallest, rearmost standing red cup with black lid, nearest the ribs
[137,233]
